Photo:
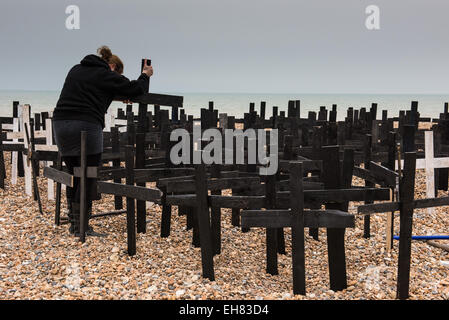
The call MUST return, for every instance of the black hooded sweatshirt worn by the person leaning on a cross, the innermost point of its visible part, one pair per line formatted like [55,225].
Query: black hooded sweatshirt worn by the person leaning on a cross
[89,89]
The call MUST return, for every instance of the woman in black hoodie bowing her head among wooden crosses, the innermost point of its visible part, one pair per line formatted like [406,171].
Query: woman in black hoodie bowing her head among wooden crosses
[88,90]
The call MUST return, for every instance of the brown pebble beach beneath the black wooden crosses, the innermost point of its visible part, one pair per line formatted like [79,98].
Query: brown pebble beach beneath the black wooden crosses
[39,260]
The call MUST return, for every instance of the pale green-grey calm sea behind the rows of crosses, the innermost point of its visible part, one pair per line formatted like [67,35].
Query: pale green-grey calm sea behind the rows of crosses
[237,104]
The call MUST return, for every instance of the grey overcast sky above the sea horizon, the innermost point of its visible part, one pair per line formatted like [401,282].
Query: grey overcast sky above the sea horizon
[258,46]
